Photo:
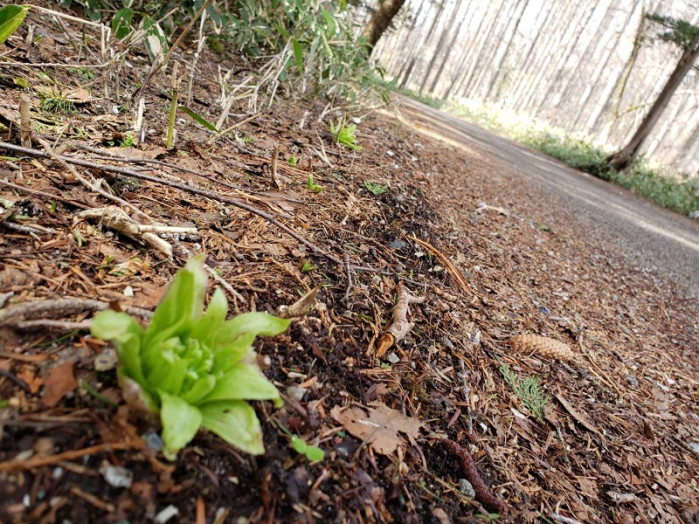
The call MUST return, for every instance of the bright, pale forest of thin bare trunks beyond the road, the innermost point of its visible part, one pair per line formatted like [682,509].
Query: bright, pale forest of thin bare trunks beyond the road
[585,67]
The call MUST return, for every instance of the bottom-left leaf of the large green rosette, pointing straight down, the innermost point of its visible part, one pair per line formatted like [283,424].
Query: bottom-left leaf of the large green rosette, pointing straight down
[180,422]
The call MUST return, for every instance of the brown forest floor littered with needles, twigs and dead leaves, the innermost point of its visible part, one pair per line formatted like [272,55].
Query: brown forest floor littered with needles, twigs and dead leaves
[607,434]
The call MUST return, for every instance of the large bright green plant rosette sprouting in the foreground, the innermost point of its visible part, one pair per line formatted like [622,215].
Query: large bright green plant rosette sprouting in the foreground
[194,369]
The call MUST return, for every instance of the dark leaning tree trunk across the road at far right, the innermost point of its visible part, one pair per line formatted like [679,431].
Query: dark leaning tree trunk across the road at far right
[623,158]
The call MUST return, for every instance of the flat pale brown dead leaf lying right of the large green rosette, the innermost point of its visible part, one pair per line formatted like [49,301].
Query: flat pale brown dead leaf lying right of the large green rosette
[380,428]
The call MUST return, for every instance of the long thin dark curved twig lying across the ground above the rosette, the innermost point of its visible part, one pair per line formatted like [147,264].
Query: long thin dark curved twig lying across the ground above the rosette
[209,194]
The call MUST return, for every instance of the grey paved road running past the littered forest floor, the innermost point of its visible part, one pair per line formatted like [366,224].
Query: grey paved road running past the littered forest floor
[652,237]
